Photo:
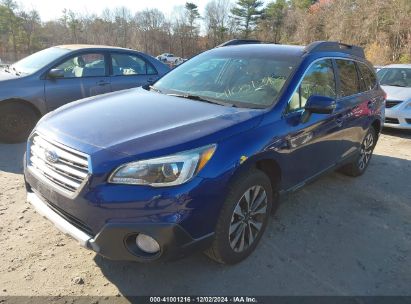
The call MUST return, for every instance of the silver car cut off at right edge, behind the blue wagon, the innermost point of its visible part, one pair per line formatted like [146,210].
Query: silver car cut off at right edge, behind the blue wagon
[395,79]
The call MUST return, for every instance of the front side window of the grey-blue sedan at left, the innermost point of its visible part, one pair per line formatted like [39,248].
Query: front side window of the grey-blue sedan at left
[84,65]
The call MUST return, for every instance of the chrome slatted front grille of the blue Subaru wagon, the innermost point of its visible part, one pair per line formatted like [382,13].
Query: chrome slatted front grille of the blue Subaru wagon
[63,167]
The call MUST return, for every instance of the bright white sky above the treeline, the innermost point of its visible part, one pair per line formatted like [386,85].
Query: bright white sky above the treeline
[52,9]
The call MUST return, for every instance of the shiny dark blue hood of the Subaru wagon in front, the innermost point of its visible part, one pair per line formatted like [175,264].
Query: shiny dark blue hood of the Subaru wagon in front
[138,121]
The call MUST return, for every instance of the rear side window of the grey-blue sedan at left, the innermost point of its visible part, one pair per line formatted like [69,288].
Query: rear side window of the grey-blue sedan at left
[126,64]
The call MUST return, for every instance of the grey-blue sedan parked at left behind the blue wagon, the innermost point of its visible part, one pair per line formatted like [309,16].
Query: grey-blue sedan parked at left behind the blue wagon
[53,77]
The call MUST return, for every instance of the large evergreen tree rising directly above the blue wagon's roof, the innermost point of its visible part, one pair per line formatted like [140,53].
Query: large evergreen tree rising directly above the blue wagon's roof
[247,13]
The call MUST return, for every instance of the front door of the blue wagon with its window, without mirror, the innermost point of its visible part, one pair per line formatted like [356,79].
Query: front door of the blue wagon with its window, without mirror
[312,145]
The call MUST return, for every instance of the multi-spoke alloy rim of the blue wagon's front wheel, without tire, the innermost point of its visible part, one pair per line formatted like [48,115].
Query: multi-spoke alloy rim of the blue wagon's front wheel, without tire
[248,218]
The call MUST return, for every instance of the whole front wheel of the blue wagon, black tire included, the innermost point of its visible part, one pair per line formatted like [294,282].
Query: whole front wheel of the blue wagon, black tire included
[226,248]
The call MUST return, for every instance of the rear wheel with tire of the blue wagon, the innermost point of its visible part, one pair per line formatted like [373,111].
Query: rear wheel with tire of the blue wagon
[361,162]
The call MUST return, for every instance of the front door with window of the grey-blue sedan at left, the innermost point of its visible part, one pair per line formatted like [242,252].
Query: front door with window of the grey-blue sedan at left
[85,75]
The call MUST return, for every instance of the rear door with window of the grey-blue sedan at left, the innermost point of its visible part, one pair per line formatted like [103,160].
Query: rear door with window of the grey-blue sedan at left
[129,70]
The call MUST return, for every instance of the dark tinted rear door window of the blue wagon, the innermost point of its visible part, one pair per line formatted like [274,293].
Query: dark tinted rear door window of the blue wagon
[349,84]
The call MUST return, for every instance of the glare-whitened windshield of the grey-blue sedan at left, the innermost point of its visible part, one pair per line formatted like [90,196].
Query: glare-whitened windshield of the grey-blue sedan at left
[36,61]
